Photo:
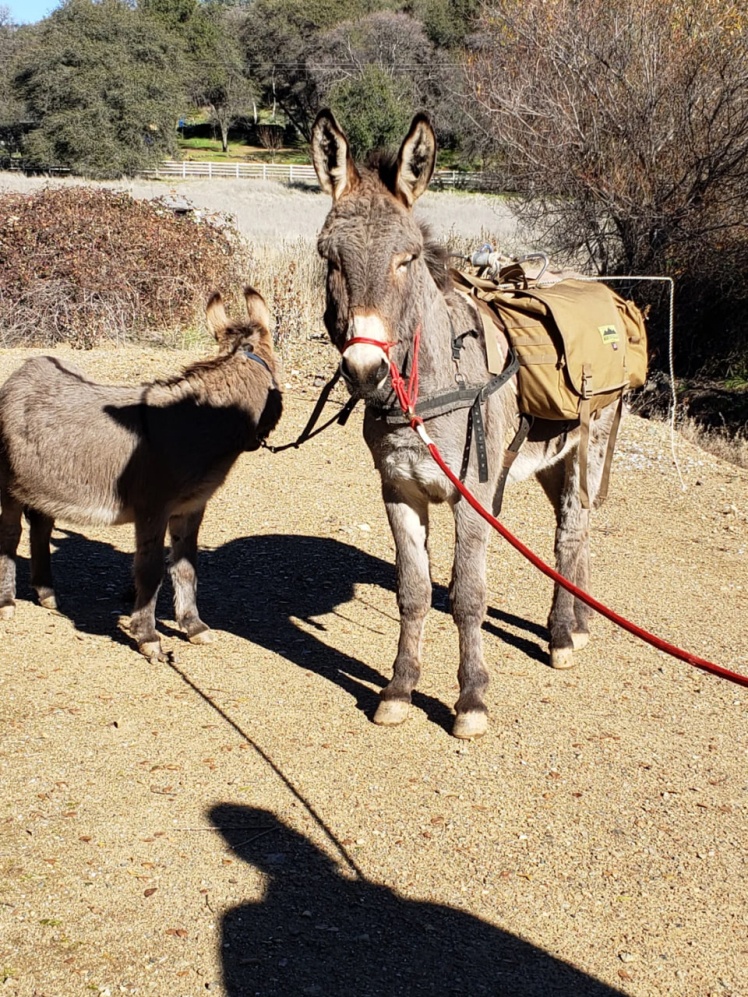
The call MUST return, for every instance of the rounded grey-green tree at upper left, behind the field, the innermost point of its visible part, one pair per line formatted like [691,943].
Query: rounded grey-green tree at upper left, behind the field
[100,79]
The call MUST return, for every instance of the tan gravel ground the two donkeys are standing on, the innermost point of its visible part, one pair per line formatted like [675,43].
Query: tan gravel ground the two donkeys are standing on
[235,824]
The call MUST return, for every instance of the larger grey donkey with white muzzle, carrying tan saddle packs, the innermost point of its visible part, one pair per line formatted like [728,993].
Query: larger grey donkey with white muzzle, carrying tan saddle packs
[386,280]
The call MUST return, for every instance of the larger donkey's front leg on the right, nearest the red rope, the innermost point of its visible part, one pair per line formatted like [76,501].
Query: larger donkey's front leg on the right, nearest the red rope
[468,599]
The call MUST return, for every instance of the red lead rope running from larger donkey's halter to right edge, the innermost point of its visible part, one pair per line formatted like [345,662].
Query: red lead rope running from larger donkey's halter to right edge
[408,396]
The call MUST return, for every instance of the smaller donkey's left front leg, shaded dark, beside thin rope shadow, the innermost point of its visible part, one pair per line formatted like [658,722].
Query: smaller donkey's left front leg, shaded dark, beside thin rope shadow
[148,571]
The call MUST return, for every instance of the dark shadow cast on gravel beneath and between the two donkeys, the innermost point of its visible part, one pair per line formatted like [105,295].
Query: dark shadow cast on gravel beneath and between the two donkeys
[256,588]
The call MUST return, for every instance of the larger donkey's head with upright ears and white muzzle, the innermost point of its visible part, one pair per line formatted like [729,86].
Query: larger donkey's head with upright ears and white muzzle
[377,254]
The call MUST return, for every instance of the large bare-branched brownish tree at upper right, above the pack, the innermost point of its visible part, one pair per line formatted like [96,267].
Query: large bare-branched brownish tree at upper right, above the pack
[624,126]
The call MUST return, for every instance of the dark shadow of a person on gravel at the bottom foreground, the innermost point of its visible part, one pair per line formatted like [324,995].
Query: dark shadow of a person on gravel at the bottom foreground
[318,932]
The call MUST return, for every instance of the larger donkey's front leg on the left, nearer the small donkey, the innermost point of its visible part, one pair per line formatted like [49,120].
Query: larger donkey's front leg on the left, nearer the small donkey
[409,525]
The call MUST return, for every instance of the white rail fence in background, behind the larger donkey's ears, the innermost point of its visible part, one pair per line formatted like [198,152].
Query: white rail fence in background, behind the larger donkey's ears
[296,174]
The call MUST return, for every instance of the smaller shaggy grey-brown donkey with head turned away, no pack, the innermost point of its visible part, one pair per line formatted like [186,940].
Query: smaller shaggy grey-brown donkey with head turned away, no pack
[151,455]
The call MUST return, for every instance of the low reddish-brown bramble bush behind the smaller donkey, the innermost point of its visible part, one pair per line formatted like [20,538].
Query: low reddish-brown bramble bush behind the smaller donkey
[87,265]
